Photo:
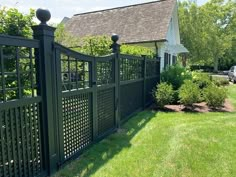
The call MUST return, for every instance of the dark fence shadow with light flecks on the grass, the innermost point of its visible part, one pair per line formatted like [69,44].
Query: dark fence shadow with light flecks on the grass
[99,154]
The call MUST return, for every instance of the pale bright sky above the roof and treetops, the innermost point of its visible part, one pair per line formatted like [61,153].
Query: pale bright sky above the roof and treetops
[61,8]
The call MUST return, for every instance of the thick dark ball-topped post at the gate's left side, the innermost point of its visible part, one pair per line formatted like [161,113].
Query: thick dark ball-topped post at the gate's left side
[46,81]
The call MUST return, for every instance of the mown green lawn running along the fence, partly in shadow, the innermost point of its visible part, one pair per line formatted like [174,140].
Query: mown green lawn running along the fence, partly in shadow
[165,144]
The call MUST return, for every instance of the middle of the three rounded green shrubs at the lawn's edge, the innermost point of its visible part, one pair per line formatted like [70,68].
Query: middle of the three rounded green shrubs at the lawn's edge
[189,93]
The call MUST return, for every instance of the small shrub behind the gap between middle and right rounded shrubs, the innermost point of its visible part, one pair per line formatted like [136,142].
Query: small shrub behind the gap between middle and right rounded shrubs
[201,79]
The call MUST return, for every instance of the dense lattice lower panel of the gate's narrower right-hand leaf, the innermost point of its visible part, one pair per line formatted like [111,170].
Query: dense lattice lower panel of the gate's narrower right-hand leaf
[106,110]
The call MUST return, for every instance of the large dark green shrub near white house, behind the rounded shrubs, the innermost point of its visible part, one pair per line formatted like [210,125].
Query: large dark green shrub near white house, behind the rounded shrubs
[175,75]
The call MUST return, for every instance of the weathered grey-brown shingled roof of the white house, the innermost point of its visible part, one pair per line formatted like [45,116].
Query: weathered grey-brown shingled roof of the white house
[136,23]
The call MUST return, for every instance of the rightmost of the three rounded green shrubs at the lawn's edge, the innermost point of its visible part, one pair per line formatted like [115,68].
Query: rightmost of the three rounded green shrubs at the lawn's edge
[214,96]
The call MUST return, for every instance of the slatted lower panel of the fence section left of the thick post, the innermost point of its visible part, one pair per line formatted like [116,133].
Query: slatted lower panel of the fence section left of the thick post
[20,141]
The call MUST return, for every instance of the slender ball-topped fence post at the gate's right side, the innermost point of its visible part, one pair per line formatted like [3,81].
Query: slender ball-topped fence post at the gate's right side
[116,50]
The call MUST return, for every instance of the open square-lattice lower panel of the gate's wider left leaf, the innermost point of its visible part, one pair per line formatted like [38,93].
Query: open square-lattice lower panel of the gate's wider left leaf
[77,123]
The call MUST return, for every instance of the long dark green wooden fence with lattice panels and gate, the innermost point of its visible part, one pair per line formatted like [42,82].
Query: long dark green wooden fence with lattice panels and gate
[55,102]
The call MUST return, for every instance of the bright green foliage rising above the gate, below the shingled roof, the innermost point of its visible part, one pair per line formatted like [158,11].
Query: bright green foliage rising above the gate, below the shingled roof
[97,45]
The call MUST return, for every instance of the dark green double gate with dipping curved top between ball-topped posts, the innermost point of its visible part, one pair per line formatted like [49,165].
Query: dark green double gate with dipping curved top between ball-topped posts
[85,100]
